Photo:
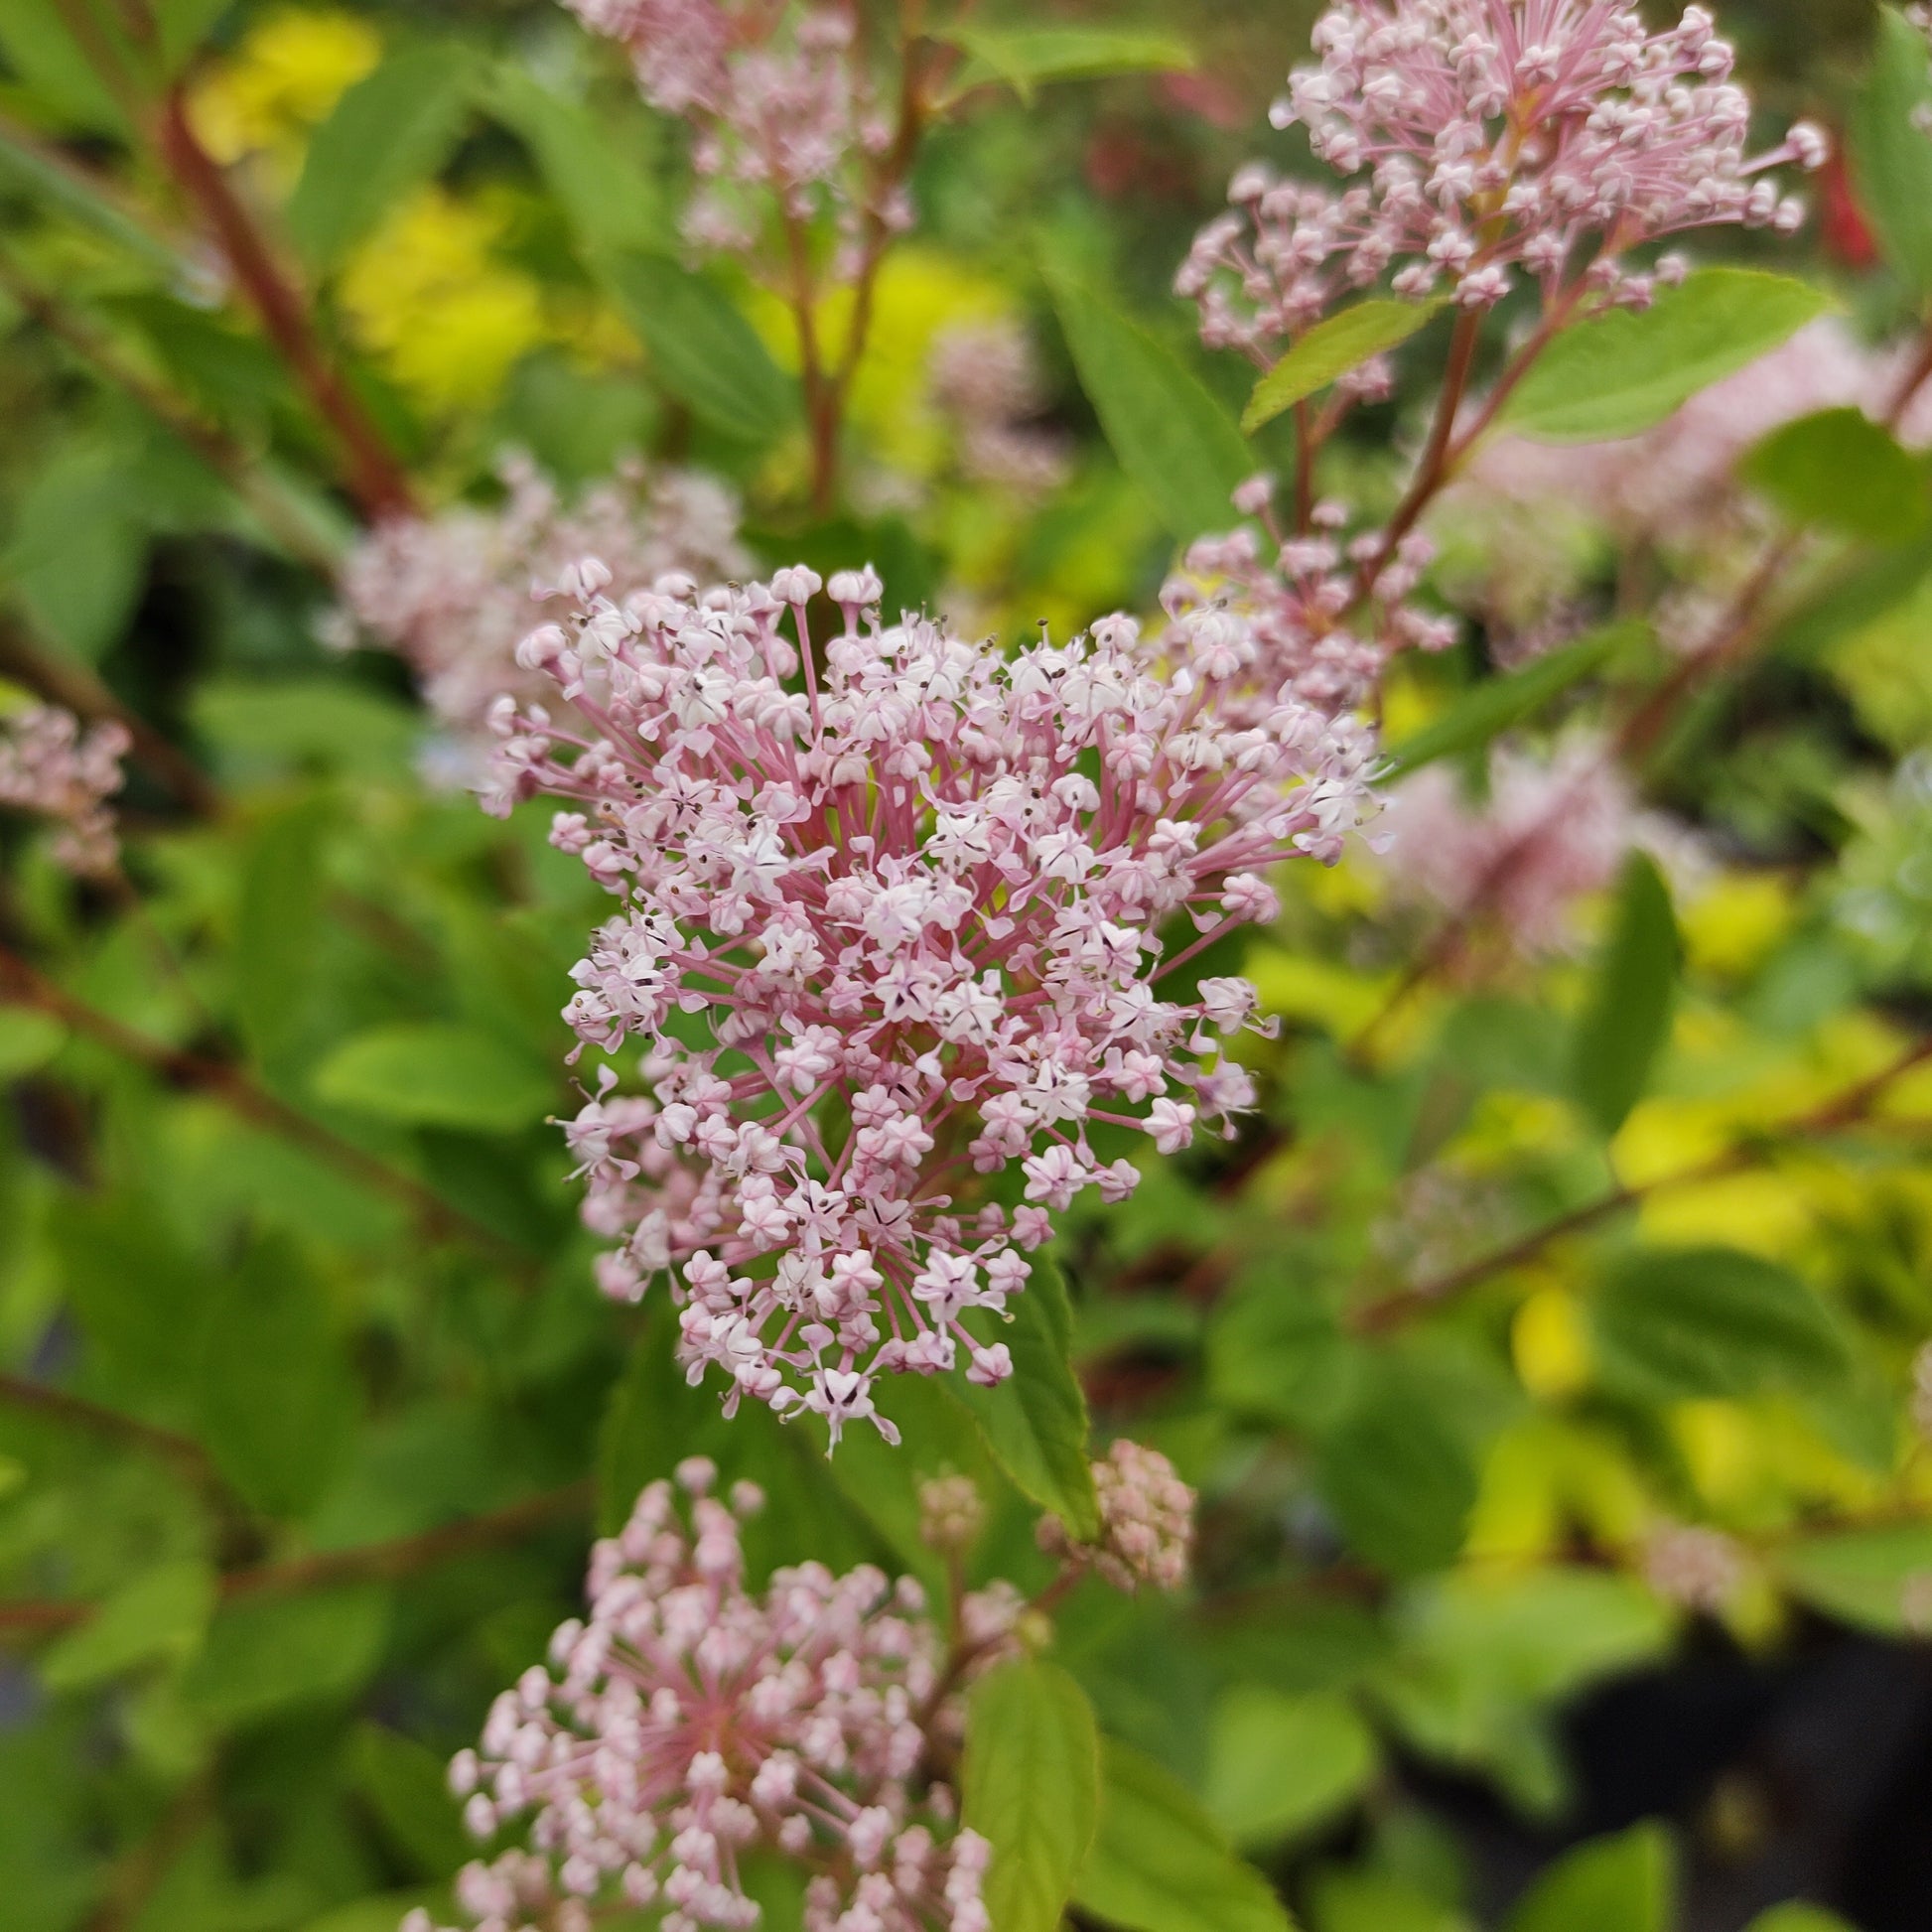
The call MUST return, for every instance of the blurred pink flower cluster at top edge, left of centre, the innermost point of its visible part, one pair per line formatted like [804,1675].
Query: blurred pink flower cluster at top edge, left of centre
[781,101]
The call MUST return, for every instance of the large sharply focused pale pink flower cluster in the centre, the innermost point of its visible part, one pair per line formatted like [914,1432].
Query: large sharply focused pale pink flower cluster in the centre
[890,930]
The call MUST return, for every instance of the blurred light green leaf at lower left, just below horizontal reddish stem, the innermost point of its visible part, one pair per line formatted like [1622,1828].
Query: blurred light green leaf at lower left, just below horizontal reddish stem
[268,1653]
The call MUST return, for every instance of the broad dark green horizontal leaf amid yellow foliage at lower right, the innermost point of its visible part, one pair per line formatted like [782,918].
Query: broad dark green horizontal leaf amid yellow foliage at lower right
[1691,1322]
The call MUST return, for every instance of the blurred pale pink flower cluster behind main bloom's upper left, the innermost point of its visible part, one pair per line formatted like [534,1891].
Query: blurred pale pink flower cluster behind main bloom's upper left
[455,594]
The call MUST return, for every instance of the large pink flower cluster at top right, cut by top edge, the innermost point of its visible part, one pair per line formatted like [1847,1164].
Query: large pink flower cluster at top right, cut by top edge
[1489,138]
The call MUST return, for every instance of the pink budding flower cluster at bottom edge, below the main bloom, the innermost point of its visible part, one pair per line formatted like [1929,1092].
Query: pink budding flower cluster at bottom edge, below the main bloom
[691,1722]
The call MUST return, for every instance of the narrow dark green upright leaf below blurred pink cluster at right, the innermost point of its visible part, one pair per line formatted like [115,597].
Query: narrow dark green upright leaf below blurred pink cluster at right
[1630,1013]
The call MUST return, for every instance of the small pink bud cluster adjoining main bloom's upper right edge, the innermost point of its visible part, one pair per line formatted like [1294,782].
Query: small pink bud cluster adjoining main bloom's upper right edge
[1259,629]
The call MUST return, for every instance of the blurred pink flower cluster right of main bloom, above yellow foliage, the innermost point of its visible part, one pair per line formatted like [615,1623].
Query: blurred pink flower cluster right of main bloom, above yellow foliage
[1550,834]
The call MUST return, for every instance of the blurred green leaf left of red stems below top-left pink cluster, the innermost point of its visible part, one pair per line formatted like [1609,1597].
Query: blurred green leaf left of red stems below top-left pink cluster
[702,351]
